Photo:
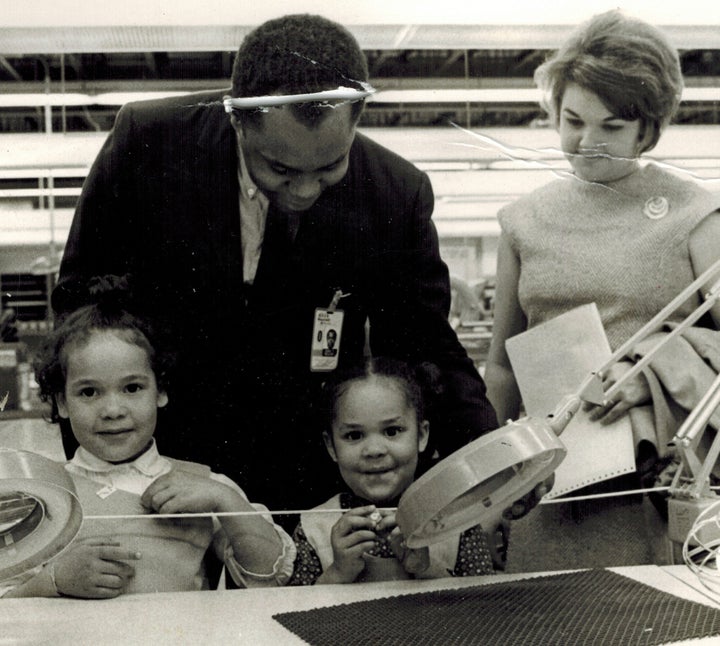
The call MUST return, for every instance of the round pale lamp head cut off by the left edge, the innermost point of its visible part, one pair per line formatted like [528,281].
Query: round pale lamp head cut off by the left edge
[53,522]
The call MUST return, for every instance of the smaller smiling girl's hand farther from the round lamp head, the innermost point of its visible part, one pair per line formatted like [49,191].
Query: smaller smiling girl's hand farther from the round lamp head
[351,537]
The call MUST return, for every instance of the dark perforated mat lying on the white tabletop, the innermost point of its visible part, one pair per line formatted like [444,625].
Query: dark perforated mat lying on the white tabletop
[597,607]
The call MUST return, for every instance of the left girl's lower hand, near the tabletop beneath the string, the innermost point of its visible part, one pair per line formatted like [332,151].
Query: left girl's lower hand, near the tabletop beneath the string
[94,569]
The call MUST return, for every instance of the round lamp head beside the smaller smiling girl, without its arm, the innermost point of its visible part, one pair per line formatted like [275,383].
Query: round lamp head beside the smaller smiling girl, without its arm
[476,483]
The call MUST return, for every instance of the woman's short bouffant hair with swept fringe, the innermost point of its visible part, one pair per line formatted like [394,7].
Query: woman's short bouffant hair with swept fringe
[629,64]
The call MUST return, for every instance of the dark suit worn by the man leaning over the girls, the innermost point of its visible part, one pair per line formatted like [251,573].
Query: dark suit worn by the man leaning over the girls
[161,202]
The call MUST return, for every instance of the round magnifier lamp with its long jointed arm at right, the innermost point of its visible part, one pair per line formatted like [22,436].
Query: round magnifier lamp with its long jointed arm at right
[477,482]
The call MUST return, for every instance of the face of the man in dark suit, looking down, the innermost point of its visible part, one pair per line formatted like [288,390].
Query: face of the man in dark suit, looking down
[293,164]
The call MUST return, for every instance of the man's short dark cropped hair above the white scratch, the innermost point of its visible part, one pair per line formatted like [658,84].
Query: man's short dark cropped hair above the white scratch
[297,54]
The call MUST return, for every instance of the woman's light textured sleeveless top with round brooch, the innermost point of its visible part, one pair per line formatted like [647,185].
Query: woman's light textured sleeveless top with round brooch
[623,245]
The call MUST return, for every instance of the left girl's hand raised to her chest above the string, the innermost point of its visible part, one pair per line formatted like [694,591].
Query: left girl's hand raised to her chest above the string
[180,492]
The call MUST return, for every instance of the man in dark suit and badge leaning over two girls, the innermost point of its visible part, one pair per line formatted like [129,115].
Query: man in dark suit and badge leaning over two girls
[239,228]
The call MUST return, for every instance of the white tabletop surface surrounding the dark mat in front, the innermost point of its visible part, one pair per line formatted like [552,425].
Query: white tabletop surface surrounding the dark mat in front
[245,616]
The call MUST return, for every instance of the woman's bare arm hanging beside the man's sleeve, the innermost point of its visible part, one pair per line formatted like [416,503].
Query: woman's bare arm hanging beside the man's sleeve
[508,320]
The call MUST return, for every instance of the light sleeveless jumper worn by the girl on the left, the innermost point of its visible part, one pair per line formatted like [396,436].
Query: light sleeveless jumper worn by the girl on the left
[172,550]
